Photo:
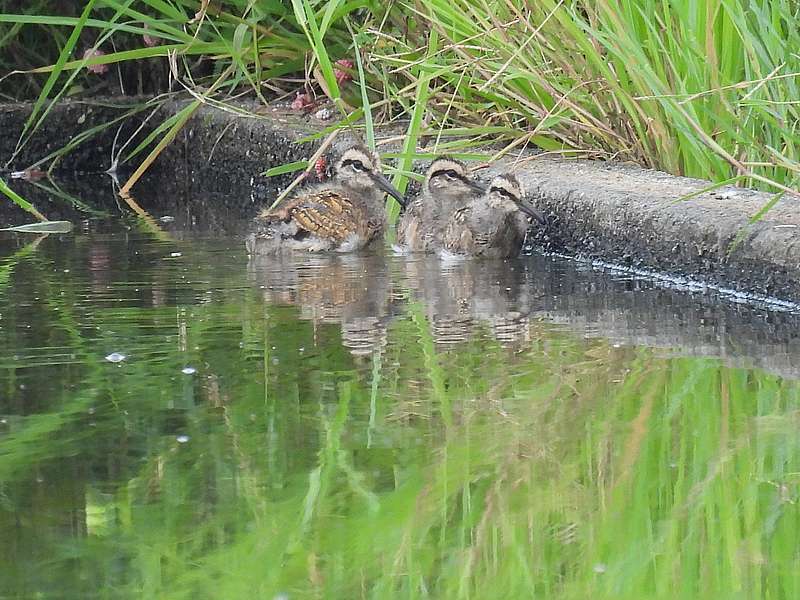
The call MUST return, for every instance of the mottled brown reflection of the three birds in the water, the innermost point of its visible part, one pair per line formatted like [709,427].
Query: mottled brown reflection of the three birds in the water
[363,293]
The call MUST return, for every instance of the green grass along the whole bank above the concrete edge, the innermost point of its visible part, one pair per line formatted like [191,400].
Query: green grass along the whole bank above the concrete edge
[704,89]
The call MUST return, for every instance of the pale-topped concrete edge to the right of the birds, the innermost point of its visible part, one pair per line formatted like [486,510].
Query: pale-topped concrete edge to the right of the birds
[635,217]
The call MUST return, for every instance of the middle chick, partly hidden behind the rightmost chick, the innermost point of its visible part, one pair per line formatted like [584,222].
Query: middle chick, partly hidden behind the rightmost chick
[447,187]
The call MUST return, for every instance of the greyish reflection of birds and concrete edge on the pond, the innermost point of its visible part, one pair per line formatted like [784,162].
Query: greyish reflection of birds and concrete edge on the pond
[511,298]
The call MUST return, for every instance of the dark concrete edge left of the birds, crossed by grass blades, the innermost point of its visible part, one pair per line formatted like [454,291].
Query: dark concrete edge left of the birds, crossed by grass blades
[216,151]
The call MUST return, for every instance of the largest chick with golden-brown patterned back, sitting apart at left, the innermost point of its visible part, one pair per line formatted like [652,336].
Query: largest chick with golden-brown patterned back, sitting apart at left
[342,215]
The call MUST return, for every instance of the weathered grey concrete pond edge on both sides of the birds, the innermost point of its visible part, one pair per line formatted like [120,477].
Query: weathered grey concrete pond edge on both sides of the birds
[619,213]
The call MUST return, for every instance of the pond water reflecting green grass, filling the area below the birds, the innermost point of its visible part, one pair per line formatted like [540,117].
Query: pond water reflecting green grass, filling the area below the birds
[177,421]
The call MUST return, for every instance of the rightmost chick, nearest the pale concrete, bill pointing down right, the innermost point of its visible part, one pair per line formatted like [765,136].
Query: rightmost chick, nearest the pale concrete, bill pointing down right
[491,225]
